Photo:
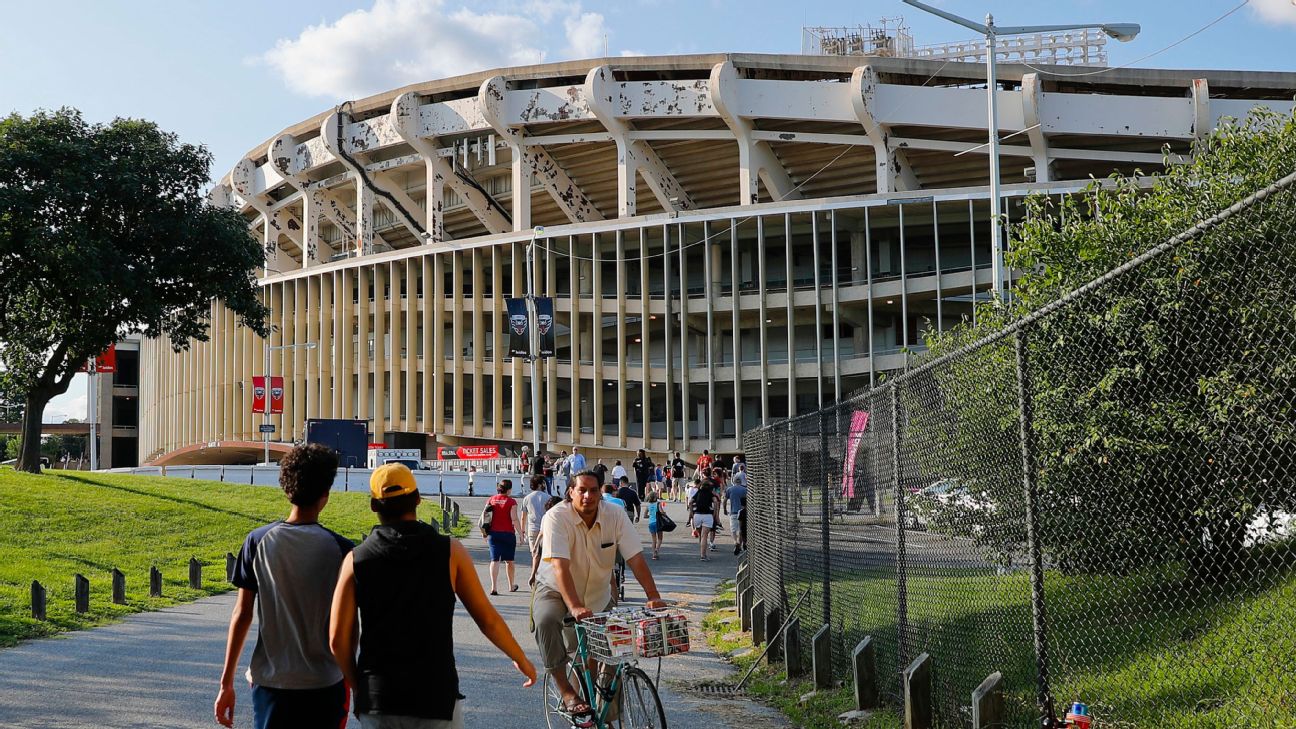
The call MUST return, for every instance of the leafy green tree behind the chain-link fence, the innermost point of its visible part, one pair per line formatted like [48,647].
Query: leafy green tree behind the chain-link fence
[1164,403]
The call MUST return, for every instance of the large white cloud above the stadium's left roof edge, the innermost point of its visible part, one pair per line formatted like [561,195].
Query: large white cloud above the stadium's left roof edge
[400,42]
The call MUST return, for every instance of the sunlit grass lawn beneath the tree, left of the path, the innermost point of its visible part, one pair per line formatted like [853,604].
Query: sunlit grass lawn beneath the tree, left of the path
[64,523]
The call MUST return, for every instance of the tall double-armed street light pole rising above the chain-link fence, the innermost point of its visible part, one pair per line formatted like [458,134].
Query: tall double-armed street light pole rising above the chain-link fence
[1120,32]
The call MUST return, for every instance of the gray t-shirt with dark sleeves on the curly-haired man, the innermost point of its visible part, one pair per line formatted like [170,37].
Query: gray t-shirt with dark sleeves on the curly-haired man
[294,570]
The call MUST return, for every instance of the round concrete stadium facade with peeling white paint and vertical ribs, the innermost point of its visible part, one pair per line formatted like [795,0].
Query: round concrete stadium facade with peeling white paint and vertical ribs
[729,239]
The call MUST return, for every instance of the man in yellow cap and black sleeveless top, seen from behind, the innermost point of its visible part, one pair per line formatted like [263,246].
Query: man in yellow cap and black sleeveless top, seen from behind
[402,580]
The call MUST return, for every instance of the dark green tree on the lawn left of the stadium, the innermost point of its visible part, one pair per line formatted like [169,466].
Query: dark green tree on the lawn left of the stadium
[106,232]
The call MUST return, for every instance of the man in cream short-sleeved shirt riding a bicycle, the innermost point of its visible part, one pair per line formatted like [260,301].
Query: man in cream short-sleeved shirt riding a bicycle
[583,538]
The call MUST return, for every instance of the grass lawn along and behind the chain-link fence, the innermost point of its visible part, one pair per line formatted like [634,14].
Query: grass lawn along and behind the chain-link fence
[1150,649]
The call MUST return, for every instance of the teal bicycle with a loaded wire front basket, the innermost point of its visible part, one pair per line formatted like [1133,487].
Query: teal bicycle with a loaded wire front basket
[615,641]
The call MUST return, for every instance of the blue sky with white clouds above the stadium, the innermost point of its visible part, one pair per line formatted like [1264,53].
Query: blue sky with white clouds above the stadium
[233,75]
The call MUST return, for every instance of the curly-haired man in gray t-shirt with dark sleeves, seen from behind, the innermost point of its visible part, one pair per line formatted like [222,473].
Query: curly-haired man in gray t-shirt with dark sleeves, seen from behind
[286,575]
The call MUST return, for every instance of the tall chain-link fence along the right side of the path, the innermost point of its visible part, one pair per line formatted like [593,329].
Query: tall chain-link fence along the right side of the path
[1098,501]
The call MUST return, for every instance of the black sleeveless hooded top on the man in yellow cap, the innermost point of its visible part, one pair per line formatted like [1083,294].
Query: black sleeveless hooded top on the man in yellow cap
[408,648]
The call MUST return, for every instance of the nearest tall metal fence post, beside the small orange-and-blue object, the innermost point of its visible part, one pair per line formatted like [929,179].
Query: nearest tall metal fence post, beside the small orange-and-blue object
[1026,421]
